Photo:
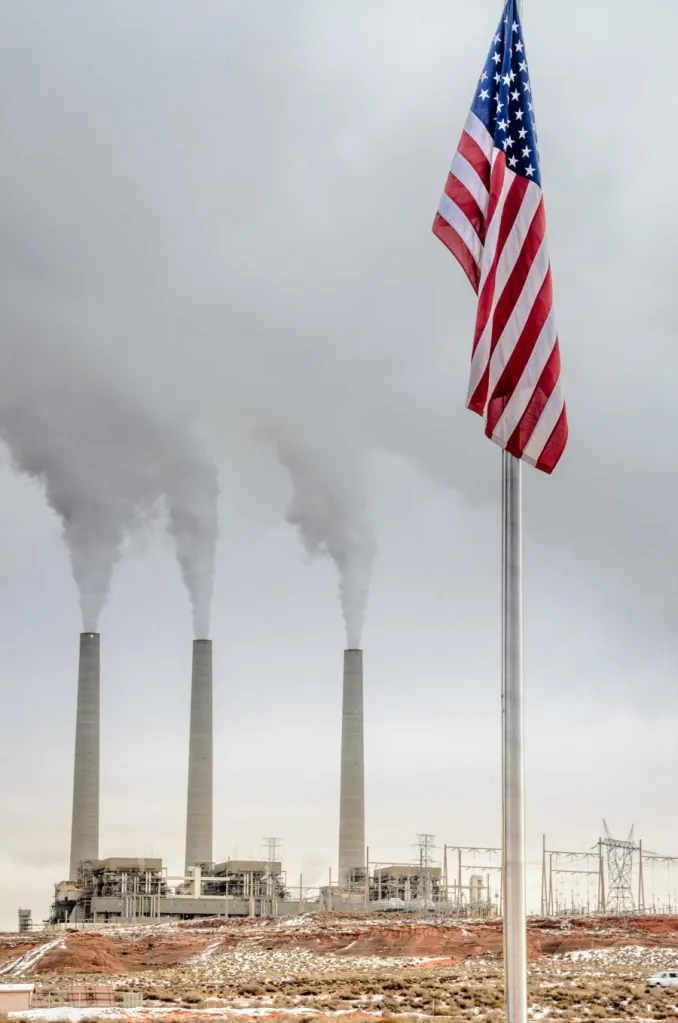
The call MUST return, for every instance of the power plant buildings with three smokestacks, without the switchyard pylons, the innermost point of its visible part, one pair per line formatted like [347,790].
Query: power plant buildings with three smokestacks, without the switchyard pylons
[125,889]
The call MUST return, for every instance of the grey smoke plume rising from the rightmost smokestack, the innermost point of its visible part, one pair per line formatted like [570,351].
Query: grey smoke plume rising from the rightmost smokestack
[330,508]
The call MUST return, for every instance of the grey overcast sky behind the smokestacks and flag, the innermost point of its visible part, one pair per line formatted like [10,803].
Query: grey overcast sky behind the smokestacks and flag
[220,213]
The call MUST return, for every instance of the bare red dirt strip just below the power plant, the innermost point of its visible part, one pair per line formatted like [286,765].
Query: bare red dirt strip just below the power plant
[118,954]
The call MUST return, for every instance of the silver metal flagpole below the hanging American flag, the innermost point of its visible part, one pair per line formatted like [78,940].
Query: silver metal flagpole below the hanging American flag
[516,954]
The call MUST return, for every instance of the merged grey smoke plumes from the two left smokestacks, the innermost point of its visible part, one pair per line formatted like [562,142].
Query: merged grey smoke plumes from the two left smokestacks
[109,465]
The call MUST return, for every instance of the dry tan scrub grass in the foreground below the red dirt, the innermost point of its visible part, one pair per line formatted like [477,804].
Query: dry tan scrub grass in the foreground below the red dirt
[587,992]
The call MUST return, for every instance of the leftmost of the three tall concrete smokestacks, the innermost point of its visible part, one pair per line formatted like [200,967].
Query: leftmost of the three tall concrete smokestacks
[85,826]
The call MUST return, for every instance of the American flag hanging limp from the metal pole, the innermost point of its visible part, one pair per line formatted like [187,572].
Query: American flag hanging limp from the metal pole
[491,217]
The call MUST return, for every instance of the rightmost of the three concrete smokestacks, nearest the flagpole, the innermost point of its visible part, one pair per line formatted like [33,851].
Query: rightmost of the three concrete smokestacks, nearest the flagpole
[352,798]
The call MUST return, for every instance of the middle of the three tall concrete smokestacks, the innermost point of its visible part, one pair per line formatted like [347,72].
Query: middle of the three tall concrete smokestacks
[199,818]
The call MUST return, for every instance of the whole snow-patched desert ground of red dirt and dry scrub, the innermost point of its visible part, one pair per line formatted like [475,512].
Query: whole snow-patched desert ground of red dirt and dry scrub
[326,966]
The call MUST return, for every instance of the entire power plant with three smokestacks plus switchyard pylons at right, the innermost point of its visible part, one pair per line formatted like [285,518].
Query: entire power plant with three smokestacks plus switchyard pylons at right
[613,876]
